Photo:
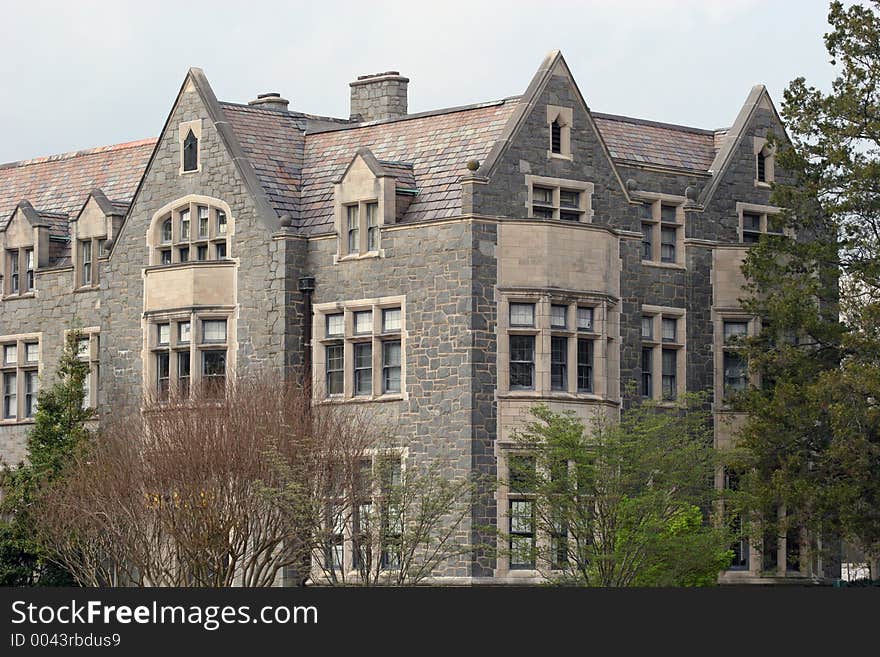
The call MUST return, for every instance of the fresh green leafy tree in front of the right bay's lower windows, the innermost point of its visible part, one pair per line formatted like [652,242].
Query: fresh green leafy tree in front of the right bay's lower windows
[623,504]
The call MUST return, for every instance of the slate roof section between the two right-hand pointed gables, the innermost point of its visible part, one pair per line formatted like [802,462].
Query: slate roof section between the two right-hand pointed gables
[640,142]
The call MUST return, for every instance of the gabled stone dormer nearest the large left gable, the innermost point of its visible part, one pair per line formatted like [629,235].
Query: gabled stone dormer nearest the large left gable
[98,221]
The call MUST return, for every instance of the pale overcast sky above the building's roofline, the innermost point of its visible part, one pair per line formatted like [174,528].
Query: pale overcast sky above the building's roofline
[83,73]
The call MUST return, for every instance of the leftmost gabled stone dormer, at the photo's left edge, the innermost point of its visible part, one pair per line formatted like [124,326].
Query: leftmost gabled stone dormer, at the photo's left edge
[31,240]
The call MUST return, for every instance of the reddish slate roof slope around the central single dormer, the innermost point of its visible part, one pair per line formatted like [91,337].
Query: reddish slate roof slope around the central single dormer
[438,145]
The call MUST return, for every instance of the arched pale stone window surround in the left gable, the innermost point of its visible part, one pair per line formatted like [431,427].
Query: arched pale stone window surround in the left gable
[172,210]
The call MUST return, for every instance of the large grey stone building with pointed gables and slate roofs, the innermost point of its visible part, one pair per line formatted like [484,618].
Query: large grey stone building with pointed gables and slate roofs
[465,263]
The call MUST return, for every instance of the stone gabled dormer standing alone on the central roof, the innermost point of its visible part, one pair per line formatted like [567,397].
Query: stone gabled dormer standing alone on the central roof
[370,194]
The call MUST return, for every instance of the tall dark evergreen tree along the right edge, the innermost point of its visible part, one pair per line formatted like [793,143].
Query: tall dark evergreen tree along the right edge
[812,441]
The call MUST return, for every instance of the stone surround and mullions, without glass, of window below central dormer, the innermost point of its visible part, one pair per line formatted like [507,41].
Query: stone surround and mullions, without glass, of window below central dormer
[349,339]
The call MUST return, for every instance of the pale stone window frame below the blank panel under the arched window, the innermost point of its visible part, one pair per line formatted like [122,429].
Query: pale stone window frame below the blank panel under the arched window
[195,345]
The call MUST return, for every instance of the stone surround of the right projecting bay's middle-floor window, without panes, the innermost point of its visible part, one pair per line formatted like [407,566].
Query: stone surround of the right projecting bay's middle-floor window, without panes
[603,311]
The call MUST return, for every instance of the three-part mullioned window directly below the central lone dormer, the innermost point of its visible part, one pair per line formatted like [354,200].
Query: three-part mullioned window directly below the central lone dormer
[360,351]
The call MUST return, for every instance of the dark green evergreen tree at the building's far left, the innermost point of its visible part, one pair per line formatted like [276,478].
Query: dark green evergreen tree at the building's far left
[60,432]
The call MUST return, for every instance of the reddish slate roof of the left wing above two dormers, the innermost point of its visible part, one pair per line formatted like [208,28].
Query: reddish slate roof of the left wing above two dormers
[61,183]
